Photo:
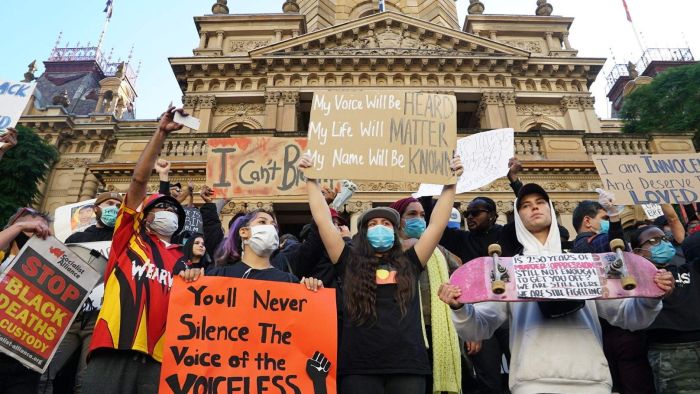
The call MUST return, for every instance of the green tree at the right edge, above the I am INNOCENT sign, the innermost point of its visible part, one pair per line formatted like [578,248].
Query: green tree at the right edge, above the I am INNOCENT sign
[671,103]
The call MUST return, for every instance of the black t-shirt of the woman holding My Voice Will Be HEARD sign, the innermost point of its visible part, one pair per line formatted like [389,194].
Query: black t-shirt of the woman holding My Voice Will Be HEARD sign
[394,343]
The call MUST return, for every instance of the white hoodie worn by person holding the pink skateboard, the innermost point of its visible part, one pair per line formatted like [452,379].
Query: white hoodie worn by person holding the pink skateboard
[553,355]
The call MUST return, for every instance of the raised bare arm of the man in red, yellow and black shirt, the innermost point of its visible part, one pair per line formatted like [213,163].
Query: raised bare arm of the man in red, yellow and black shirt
[147,160]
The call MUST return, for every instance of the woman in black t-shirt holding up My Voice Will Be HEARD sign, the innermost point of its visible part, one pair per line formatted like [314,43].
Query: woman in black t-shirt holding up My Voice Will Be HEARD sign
[382,348]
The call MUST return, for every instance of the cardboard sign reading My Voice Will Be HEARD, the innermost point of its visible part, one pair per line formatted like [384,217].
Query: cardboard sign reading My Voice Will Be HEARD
[383,135]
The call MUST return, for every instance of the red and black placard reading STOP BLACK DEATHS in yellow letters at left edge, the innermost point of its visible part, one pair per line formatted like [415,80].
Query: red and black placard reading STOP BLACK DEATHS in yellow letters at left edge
[40,294]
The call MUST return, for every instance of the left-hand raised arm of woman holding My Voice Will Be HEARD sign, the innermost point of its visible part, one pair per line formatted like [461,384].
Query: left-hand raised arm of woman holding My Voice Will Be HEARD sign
[330,236]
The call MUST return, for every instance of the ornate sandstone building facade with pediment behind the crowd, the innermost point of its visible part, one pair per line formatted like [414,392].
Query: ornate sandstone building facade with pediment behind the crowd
[256,75]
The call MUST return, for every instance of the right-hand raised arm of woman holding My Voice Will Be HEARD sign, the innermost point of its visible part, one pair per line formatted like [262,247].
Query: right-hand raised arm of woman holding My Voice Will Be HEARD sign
[441,215]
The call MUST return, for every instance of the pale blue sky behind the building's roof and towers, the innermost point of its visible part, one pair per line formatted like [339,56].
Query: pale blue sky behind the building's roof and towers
[159,29]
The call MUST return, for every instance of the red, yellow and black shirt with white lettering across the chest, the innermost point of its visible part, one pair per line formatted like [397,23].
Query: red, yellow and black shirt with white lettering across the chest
[138,279]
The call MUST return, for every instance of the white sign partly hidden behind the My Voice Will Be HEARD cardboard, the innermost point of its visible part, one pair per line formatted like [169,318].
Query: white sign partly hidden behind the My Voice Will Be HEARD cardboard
[484,157]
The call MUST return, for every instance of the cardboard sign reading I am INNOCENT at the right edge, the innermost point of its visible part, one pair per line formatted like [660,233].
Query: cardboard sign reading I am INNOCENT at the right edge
[651,179]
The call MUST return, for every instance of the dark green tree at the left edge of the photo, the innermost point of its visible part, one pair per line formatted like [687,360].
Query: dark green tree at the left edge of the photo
[22,168]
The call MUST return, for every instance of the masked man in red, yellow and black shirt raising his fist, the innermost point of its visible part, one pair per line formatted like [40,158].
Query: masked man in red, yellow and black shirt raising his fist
[127,344]
